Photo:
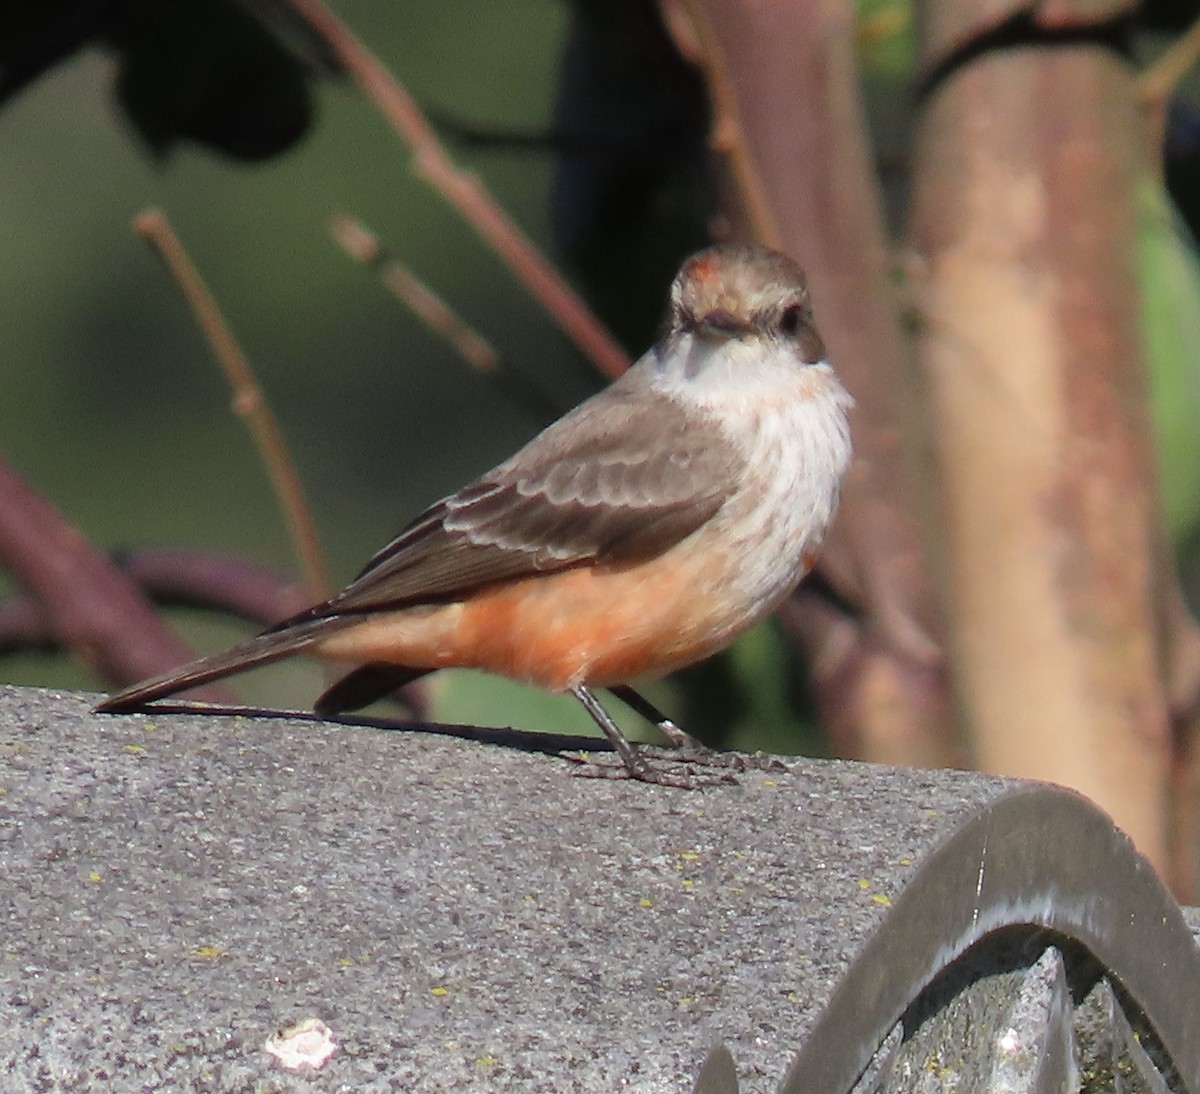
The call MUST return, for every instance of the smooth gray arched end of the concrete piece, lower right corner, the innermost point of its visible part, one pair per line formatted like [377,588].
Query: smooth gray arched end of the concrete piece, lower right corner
[1039,861]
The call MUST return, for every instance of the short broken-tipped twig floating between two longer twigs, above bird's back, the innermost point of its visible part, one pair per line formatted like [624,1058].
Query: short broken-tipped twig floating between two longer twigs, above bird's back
[358,242]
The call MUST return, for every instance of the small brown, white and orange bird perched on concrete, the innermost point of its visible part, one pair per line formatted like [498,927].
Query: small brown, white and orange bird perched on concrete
[639,533]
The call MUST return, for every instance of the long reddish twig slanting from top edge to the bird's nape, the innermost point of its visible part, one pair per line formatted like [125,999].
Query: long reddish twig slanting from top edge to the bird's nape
[465,193]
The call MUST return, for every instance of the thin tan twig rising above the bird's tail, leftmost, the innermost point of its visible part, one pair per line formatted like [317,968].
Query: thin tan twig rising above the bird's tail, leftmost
[248,399]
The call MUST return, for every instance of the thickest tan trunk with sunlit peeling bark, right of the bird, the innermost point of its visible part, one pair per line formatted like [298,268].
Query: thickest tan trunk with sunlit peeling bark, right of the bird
[1027,165]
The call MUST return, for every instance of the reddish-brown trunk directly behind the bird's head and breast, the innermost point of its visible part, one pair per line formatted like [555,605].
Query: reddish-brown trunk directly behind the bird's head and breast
[794,80]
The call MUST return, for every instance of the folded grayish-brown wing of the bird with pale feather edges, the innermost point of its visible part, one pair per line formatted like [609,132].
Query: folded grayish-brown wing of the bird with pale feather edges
[625,476]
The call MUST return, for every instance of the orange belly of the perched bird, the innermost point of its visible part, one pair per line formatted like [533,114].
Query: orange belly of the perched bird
[599,626]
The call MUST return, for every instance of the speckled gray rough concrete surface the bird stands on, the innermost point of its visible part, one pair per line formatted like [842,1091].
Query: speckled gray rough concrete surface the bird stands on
[177,888]
